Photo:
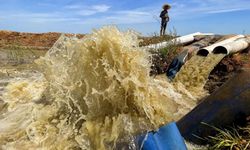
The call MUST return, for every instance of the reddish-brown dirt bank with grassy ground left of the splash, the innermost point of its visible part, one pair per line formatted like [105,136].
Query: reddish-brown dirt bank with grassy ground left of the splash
[17,48]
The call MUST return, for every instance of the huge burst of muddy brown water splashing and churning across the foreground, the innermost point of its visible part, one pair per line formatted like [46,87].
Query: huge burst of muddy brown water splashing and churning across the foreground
[93,93]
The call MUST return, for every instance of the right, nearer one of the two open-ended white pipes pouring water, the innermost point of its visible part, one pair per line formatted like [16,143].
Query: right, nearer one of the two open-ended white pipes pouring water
[232,47]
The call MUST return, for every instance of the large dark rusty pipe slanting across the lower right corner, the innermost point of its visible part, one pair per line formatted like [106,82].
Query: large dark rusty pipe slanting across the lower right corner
[227,106]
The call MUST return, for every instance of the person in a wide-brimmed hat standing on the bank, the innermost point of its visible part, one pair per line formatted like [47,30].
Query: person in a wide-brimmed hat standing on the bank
[164,18]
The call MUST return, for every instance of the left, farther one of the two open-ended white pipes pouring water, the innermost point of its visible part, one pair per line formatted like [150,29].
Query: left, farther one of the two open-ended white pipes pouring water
[205,51]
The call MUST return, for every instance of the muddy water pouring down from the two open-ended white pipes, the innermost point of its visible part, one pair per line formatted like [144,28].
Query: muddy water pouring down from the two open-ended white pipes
[194,74]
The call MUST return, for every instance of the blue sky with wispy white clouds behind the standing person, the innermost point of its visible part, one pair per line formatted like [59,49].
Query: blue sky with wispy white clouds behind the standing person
[81,16]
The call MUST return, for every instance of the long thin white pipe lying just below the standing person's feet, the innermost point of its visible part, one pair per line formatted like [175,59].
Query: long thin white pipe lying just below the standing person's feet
[180,40]
